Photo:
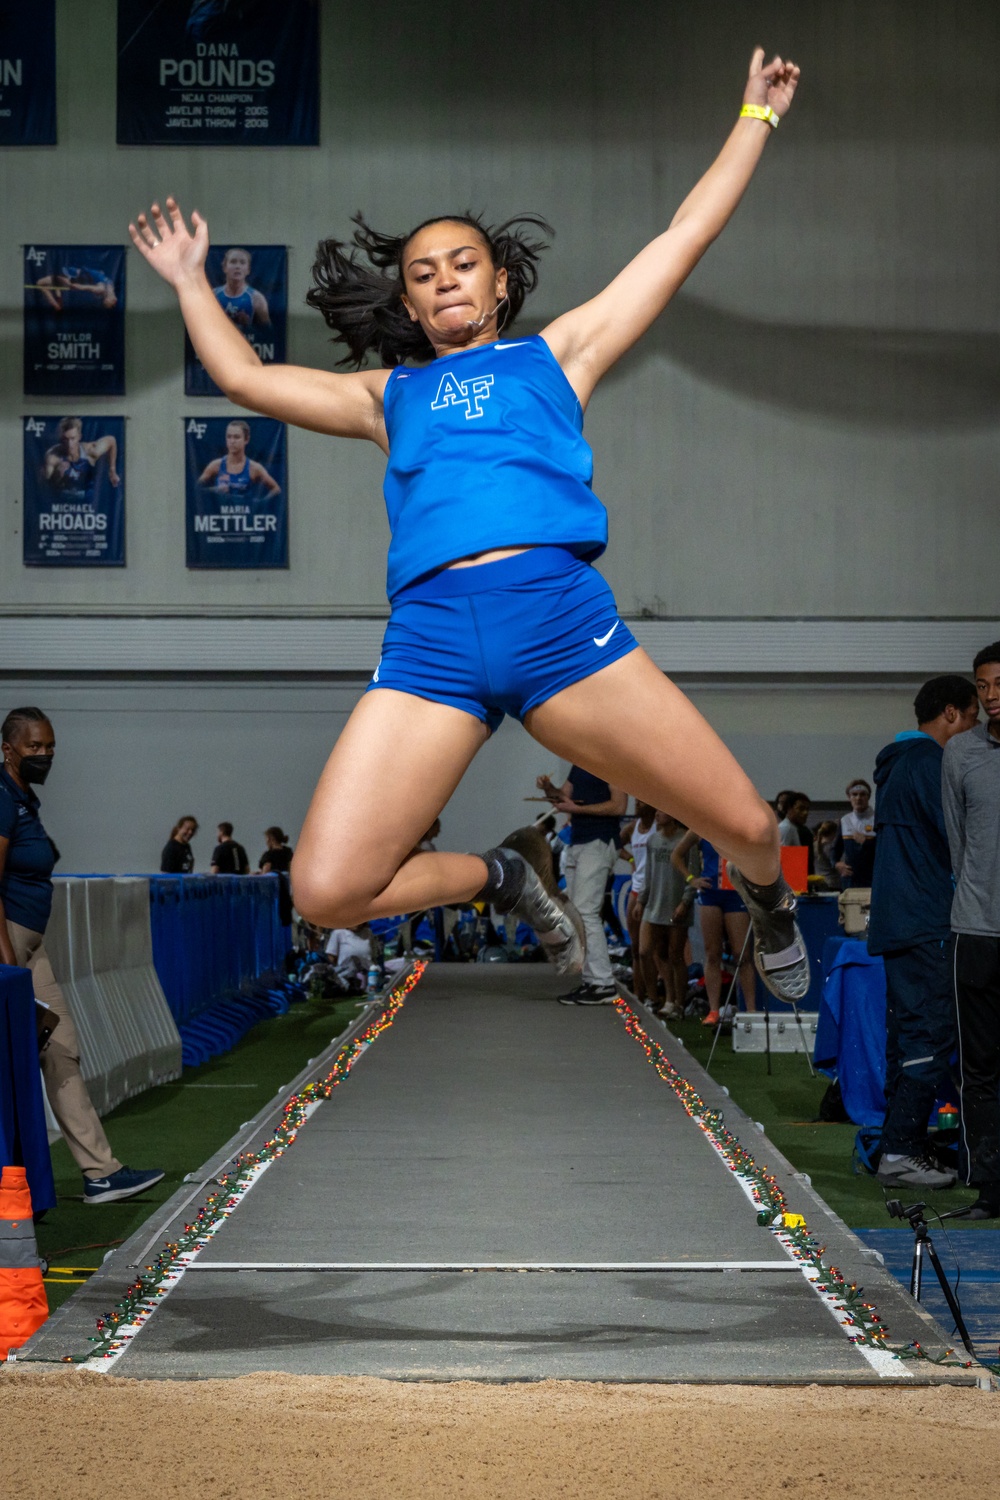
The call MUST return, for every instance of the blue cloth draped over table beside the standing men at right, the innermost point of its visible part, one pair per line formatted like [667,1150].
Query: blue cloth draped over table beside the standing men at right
[851,1033]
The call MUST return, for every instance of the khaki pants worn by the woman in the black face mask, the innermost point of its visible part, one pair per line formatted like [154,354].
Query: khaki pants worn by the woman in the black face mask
[61,1064]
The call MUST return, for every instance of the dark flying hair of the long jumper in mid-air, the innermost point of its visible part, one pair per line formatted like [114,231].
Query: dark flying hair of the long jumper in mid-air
[362,302]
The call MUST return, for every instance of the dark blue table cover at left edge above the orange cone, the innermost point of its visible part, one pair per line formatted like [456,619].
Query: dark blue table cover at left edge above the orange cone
[23,1133]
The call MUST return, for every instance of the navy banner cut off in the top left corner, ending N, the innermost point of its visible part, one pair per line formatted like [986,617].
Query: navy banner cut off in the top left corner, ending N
[28,74]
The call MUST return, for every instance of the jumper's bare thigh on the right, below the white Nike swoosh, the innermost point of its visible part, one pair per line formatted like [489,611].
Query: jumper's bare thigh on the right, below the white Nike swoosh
[635,728]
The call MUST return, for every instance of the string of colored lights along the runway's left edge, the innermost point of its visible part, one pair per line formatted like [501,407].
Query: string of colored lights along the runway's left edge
[116,1330]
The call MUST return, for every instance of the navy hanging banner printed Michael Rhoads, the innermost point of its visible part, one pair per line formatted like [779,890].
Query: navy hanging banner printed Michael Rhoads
[74,491]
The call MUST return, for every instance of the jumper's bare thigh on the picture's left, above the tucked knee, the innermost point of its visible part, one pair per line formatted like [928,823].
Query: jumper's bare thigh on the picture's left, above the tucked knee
[397,764]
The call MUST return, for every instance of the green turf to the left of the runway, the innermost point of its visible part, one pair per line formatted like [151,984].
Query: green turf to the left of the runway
[178,1127]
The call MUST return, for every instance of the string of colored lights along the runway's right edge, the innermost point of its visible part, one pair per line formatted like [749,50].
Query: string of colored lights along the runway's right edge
[863,1324]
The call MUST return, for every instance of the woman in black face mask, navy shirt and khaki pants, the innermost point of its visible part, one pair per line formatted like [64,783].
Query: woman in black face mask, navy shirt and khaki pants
[28,857]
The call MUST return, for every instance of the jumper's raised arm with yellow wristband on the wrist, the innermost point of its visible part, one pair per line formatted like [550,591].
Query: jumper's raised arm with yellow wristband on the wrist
[591,338]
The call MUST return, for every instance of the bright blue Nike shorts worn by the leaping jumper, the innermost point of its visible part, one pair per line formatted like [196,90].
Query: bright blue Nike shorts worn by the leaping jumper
[501,638]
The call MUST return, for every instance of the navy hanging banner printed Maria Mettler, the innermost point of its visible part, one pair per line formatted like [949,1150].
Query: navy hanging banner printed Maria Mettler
[238,493]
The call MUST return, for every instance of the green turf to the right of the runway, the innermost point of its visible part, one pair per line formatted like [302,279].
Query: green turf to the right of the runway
[788,1106]
